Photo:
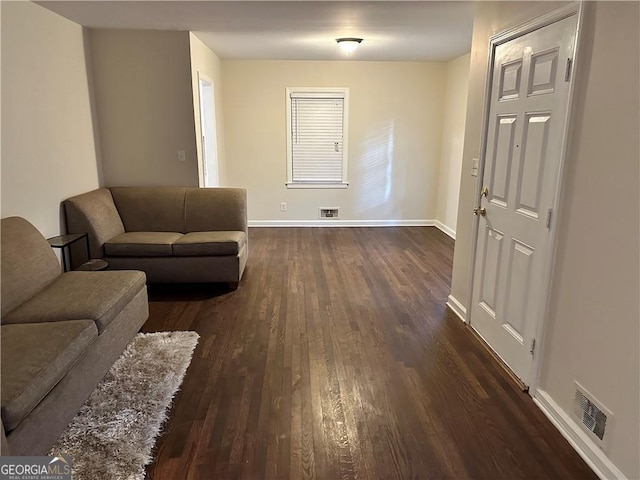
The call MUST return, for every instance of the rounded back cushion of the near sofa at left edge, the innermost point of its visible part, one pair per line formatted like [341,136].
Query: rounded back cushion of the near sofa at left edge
[28,262]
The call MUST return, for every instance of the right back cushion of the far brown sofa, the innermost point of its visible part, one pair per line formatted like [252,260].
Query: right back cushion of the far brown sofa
[216,209]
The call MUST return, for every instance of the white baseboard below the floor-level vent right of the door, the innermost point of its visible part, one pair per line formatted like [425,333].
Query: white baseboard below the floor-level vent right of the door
[581,443]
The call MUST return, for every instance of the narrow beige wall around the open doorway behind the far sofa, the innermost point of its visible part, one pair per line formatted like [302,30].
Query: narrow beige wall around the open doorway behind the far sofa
[205,62]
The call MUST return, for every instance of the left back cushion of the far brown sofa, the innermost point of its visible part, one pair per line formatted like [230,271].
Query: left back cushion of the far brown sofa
[150,209]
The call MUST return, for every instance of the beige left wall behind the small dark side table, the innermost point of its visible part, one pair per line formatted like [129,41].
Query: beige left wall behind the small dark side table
[48,145]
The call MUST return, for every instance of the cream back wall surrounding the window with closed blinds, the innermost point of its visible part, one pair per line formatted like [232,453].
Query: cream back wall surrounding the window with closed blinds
[395,135]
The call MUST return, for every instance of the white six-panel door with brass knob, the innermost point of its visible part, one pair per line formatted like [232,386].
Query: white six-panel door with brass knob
[524,147]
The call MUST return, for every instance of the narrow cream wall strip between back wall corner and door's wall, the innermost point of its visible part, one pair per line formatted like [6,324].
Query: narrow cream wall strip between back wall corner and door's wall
[453,123]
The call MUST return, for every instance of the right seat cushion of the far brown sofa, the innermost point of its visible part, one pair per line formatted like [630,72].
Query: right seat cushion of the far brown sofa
[197,244]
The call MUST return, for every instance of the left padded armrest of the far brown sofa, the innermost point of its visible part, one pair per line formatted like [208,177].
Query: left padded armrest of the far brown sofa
[94,213]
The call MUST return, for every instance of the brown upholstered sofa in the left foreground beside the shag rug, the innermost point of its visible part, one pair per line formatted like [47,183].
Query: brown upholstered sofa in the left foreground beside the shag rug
[61,332]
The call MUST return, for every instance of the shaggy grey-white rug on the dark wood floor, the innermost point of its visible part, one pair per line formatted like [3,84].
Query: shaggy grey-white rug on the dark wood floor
[112,436]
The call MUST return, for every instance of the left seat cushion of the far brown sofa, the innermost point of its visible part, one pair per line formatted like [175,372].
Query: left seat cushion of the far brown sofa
[141,244]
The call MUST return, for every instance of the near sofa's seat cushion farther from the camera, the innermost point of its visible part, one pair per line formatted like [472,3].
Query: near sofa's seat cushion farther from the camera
[99,296]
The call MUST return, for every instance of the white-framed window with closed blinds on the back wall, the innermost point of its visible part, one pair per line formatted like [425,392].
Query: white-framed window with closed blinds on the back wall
[317,120]
